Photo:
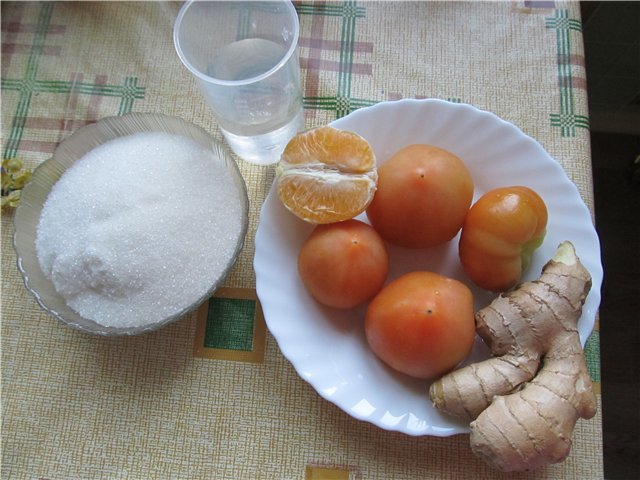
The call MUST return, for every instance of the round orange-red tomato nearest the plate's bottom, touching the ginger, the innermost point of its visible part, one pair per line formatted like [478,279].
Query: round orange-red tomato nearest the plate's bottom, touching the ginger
[421,324]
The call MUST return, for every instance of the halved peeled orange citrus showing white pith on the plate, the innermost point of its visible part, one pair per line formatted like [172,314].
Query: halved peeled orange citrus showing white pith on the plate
[326,175]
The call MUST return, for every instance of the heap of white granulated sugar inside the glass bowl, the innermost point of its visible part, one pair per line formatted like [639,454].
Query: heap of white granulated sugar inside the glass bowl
[139,228]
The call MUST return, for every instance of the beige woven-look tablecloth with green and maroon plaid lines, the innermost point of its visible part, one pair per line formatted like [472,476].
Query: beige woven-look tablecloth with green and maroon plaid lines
[205,397]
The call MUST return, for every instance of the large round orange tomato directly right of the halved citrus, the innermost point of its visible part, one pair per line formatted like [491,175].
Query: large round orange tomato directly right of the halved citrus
[423,195]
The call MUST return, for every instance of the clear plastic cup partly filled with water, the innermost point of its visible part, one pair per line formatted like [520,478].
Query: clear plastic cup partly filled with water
[244,57]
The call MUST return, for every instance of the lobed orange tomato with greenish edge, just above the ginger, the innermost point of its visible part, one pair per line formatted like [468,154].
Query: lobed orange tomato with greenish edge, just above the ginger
[500,233]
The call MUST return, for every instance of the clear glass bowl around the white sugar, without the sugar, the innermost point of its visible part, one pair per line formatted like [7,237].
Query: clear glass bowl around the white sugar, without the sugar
[35,193]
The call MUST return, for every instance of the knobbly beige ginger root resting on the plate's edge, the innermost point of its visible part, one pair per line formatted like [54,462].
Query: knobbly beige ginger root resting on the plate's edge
[523,415]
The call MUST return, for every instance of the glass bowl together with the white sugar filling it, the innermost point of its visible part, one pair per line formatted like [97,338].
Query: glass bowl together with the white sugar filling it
[131,224]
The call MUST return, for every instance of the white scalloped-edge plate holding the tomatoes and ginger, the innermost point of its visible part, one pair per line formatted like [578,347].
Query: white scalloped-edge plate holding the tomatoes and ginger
[327,347]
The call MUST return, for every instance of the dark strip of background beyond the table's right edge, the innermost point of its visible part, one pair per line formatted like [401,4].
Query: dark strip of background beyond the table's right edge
[612,55]
